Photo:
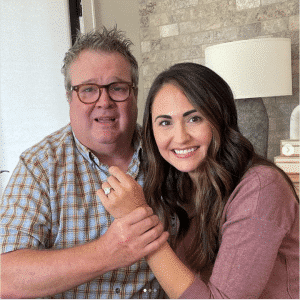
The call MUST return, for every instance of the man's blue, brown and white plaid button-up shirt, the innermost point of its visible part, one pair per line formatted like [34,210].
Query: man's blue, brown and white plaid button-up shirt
[50,202]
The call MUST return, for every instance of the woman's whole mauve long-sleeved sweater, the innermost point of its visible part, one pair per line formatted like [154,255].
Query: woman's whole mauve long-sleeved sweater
[259,251]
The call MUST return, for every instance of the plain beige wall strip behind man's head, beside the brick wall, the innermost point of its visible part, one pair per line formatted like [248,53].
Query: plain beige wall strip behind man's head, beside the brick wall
[124,13]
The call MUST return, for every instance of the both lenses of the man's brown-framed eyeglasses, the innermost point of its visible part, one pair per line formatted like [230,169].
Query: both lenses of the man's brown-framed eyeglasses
[118,91]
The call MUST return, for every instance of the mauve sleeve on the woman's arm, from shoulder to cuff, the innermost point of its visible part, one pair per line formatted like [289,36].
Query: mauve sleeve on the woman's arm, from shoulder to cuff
[257,217]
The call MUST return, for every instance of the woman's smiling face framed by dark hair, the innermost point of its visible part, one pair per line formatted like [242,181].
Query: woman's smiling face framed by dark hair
[181,133]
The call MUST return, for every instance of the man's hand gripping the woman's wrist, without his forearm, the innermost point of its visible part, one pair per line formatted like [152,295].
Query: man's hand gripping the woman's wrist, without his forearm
[133,237]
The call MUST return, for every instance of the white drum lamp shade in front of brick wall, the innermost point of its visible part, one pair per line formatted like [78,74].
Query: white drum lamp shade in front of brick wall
[253,68]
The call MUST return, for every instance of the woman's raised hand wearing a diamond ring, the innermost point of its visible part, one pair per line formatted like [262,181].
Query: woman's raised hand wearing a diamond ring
[125,194]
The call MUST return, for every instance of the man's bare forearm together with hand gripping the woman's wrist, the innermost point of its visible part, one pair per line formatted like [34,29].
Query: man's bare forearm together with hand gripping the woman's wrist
[30,273]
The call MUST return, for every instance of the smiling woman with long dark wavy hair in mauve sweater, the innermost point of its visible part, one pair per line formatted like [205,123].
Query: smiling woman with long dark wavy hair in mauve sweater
[237,213]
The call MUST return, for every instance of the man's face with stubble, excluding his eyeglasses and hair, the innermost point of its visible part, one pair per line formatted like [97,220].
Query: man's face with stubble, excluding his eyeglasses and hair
[105,122]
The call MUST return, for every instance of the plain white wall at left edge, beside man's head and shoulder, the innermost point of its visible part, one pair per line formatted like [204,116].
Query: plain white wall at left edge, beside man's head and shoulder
[35,35]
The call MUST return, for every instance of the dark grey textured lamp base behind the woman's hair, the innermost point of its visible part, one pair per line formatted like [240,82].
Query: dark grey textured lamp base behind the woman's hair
[253,122]
